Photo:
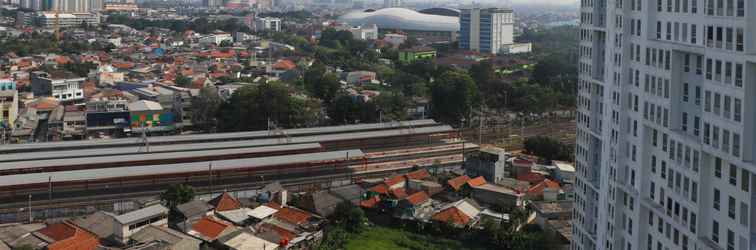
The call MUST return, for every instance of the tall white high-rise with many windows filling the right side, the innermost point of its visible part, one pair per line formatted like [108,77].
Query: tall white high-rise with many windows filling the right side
[665,141]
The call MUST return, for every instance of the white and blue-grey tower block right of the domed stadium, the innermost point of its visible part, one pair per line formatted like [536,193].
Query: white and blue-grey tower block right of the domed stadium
[486,30]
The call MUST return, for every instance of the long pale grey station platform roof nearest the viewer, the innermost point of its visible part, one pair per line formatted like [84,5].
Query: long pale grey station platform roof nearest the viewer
[94,174]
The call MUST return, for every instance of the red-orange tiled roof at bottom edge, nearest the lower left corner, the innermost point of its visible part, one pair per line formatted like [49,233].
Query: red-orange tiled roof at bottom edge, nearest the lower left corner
[68,236]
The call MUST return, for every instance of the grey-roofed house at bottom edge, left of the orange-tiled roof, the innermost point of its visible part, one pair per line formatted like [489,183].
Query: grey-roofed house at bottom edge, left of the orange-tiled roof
[163,238]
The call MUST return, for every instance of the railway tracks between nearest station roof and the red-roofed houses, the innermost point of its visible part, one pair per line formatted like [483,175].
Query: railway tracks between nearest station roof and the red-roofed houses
[14,210]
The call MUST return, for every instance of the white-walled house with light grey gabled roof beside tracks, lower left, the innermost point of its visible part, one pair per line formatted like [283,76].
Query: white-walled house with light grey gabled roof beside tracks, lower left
[129,223]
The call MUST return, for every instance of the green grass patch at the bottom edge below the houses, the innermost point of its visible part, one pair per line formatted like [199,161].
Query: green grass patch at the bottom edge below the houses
[382,238]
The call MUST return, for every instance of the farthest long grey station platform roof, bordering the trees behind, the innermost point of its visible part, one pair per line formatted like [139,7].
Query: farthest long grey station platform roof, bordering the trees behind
[212,137]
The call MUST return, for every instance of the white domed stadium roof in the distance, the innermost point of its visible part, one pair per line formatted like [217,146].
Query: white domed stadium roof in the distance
[403,19]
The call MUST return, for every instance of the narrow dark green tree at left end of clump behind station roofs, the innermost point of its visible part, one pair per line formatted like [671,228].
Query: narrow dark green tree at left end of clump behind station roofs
[205,108]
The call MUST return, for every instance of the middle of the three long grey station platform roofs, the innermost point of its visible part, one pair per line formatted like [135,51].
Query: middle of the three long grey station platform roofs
[148,156]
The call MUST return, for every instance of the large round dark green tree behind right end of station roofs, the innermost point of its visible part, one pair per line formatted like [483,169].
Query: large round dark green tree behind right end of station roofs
[453,96]
